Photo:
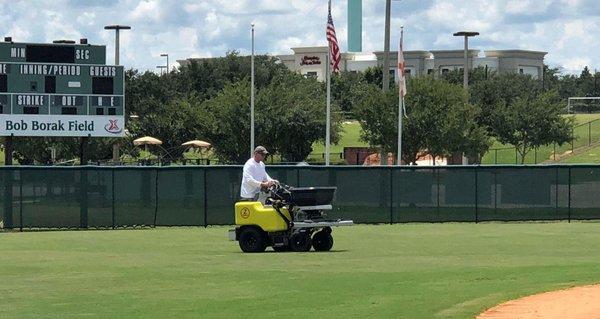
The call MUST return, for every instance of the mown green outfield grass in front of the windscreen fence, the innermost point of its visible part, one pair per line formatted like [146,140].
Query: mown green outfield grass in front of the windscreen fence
[378,271]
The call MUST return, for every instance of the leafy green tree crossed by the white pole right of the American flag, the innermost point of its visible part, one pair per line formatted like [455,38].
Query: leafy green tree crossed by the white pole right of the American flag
[440,120]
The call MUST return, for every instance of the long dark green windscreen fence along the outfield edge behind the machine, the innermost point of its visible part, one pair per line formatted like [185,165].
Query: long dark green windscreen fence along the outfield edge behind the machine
[111,197]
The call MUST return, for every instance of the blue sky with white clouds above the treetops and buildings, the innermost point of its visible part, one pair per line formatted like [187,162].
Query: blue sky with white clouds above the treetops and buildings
[566,29]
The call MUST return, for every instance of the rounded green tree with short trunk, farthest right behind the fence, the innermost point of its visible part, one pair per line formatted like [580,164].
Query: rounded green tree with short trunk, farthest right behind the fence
[528,123]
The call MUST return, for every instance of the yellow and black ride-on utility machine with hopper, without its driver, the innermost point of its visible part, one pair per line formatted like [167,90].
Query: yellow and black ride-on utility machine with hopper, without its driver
[292,219]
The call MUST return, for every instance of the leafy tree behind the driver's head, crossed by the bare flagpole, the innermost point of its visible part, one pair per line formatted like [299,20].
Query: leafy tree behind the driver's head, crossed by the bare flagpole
[289,118]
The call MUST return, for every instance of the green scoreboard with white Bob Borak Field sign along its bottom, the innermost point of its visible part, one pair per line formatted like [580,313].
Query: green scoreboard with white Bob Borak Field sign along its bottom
[60,90]
